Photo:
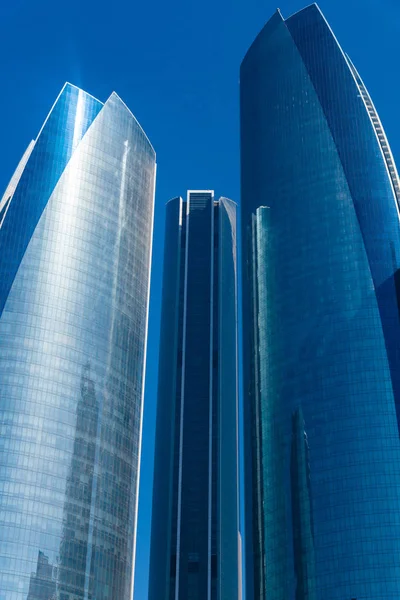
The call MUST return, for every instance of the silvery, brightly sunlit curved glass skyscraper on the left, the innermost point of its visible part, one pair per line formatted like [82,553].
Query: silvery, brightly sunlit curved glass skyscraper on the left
[75,246]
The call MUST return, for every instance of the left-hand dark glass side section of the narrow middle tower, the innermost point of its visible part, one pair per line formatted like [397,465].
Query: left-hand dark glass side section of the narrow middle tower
[166,465]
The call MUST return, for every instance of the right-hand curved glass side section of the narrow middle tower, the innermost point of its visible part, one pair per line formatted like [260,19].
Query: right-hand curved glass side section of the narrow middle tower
[227,384]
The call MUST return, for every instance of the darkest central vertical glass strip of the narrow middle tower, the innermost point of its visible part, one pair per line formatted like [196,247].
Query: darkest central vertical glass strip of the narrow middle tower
[193,555]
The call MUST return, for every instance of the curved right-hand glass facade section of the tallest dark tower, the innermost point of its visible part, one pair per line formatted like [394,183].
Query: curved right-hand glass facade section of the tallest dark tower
[363,163]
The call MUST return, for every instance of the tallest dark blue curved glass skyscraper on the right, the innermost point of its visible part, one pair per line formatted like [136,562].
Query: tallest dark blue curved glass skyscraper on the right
[321,258]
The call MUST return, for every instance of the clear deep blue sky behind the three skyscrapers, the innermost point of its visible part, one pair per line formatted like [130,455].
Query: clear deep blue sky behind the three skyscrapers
[176,65]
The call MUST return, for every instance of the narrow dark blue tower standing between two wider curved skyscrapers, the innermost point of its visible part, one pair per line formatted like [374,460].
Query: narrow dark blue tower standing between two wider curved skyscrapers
[194,544]
